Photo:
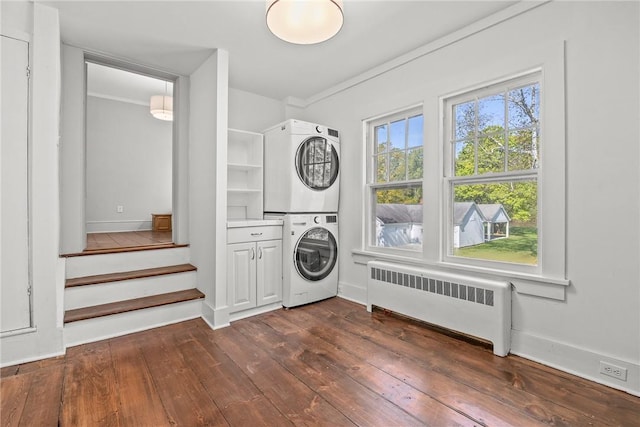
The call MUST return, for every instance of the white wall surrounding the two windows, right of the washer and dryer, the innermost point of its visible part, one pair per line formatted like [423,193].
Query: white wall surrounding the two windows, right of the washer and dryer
[600,318]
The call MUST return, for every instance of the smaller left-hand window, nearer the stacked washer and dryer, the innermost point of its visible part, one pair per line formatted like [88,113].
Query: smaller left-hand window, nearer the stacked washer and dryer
[395,167]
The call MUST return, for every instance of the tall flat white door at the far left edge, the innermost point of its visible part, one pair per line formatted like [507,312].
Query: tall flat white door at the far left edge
[14,264]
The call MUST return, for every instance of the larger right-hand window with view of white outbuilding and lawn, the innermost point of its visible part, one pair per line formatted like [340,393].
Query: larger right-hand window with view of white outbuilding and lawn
[492,162]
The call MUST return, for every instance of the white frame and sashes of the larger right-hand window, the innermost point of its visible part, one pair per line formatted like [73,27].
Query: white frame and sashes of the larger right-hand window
[449,178]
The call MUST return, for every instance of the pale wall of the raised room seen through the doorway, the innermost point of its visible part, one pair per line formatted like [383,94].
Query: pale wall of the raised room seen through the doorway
[128,164]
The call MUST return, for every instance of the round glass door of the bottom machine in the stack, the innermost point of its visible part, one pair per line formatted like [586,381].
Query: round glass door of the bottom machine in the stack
[316,254]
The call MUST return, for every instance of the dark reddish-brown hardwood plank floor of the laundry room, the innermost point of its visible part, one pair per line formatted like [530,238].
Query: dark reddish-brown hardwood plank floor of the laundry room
[329,363]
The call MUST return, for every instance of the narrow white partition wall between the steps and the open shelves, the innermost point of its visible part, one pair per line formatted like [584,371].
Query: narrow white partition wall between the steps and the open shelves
[207,183]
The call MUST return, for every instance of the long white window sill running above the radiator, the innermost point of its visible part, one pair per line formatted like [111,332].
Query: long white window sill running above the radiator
[526,284]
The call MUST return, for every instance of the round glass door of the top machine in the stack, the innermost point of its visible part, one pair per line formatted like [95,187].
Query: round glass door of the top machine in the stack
[317,163]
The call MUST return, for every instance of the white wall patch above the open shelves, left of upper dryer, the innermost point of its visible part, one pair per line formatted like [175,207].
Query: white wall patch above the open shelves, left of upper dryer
[251,112]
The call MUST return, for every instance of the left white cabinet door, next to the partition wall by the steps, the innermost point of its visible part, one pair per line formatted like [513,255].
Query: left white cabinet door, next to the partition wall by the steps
[241,275]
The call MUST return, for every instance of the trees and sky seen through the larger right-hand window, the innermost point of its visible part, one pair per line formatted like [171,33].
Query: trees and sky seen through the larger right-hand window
[499,133]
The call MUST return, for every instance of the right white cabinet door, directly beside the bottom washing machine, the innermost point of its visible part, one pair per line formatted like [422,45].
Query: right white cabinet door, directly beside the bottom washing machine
[269,286]
